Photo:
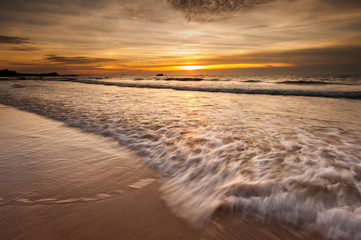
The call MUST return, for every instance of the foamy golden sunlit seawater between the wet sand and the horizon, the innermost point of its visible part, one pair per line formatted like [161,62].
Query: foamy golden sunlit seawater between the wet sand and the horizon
[294,159]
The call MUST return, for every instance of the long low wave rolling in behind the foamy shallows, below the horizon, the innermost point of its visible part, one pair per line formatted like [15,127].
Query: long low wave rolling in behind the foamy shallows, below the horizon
[280,92]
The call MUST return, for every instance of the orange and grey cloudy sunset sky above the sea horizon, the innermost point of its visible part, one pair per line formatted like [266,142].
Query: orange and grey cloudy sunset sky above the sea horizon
[181,36]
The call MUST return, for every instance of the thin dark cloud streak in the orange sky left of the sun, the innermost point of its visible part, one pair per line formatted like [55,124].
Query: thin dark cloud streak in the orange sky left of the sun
[53,58]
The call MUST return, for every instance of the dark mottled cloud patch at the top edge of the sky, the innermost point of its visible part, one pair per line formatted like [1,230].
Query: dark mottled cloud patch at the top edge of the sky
[212,10]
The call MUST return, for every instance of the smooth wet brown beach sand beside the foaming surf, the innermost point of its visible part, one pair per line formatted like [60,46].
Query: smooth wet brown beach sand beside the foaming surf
[114,197]
